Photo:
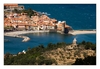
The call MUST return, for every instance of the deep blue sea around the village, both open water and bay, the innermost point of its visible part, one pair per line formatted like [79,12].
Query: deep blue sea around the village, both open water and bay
[78,16]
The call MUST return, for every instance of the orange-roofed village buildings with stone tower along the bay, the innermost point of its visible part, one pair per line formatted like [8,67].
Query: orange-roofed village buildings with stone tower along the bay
[20,21]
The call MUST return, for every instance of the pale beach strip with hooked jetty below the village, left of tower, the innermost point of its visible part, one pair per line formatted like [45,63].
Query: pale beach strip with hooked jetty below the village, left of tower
[18,34]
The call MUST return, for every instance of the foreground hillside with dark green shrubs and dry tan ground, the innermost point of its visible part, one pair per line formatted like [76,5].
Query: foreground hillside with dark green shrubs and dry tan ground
[54,54]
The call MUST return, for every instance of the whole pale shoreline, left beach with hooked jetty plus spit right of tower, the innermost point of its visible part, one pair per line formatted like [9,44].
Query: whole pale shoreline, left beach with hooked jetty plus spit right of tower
[25,38]
